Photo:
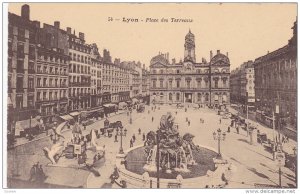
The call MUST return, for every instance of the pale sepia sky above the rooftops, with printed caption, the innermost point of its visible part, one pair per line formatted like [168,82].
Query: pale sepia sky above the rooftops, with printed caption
[244,30]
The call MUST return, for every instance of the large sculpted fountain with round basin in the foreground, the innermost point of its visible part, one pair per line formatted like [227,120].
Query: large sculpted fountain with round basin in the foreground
[169,160]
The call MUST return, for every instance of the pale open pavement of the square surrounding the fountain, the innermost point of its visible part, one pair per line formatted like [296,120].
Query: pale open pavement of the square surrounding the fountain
[251,164]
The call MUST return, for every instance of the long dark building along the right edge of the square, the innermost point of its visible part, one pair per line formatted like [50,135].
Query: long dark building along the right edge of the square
[276,83]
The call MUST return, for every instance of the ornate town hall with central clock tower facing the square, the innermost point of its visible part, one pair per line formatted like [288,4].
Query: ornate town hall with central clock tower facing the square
[205,83]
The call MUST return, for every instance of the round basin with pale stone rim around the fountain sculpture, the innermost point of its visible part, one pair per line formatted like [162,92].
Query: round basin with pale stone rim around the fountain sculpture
[205,173]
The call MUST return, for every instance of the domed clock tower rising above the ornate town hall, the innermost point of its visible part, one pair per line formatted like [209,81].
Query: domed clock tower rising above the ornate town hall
[189,48]
